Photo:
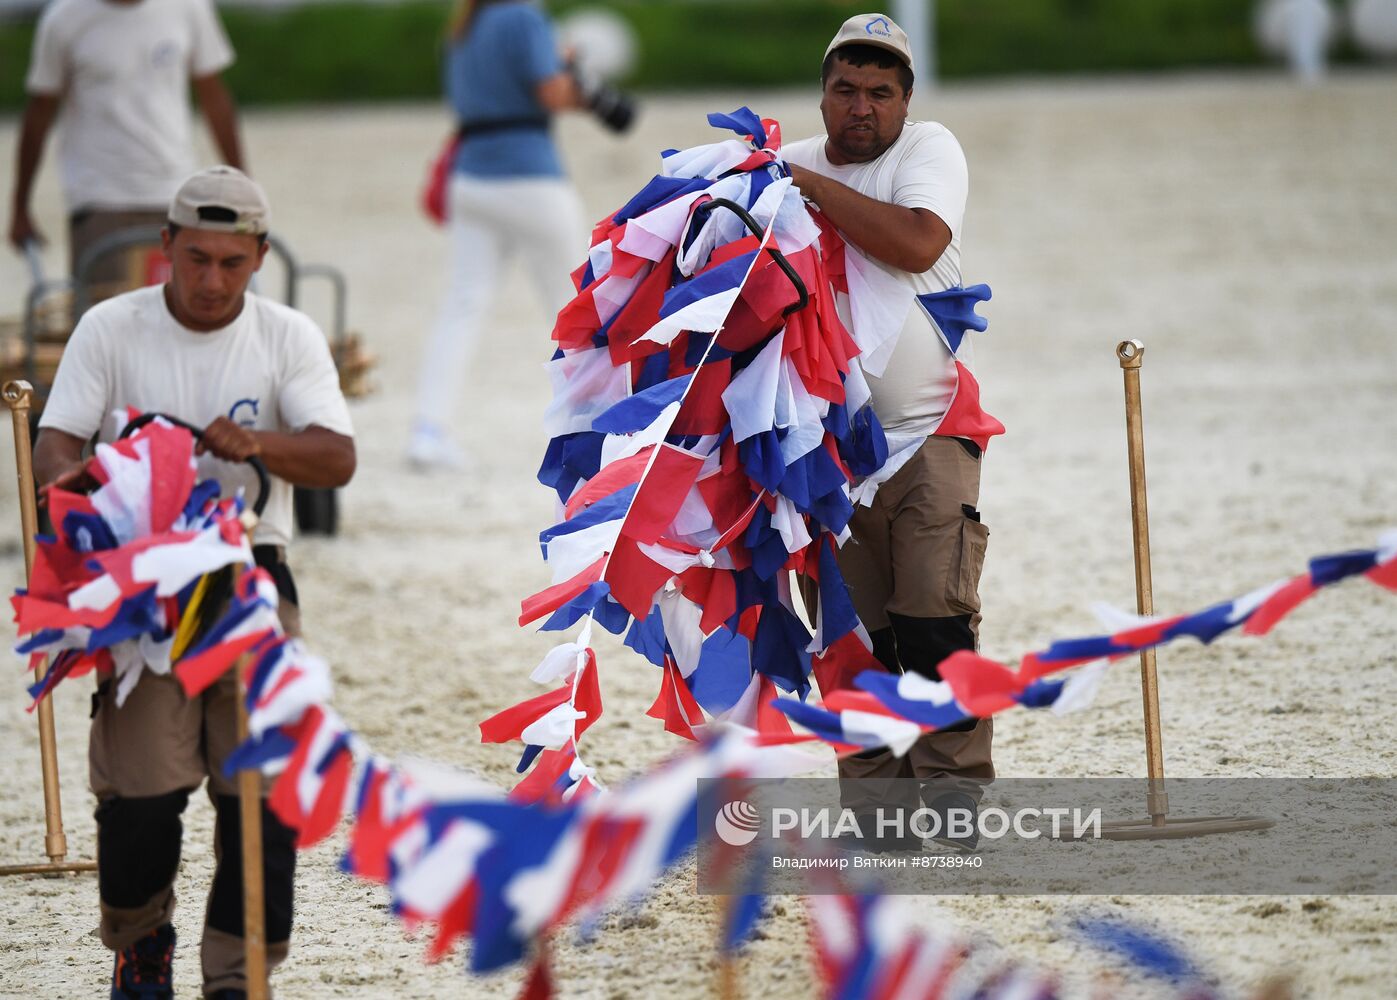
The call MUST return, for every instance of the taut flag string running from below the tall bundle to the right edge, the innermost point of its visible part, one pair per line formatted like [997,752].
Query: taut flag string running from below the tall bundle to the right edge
[892,712]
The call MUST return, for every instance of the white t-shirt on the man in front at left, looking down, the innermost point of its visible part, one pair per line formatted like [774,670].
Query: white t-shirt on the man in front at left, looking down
[270,369]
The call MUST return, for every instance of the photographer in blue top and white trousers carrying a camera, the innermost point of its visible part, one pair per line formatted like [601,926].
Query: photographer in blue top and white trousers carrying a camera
[505,79]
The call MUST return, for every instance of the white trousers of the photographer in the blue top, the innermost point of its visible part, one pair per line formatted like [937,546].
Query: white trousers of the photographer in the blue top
[490,220]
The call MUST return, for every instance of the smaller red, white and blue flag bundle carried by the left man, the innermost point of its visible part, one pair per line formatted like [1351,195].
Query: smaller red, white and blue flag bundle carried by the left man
[124,583]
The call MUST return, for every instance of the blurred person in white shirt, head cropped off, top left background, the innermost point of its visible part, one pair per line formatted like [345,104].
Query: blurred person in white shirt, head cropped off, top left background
[119,72]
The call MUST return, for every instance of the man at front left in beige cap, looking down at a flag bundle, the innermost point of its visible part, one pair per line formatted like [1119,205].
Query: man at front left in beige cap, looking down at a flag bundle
[259,379]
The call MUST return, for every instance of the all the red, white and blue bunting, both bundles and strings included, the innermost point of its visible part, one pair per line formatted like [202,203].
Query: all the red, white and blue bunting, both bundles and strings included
[710,436]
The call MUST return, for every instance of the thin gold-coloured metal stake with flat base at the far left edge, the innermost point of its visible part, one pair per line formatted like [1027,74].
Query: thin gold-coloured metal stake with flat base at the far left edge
[17,397]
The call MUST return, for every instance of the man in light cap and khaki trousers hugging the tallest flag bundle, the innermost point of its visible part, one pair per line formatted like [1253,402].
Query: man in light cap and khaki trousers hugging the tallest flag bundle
[896,191]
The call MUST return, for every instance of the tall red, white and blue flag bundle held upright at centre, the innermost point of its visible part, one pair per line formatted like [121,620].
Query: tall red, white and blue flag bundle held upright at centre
[712,432]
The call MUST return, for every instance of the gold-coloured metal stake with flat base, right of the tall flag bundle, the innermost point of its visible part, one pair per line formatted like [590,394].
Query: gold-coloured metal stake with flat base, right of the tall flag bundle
[1160,826]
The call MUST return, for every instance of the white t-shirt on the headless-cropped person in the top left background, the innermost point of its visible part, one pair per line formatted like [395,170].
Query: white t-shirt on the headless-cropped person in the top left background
[124,72]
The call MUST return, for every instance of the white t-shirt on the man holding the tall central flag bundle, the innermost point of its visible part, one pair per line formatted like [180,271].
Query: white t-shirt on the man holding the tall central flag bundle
[926,168]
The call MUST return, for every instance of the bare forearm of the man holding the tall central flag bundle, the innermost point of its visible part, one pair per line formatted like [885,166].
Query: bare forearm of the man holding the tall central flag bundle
[910,240]
